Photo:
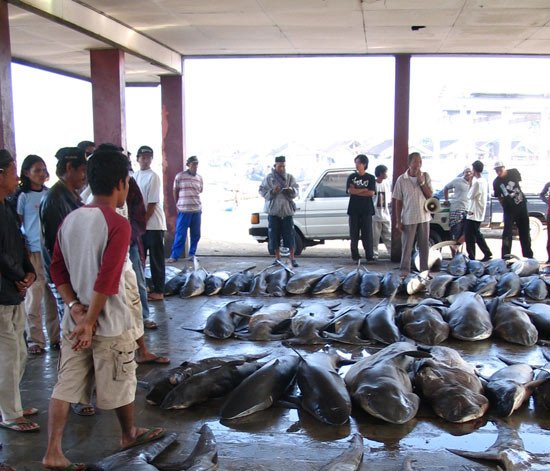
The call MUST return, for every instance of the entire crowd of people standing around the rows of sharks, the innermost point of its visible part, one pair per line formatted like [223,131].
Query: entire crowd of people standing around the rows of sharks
[92,282]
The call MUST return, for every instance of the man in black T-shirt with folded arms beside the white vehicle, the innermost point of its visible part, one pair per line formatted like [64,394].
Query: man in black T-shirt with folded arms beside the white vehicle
[361,186]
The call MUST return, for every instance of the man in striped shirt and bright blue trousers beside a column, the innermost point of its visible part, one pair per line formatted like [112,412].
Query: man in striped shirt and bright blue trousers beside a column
[187,189]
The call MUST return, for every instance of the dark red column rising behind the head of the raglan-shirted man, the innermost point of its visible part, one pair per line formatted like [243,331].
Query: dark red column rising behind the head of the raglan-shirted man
[108,98]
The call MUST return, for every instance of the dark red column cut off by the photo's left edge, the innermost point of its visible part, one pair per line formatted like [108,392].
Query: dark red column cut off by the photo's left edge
[7,127]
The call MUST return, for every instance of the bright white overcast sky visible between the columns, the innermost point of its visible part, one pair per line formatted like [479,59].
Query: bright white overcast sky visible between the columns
[255,105]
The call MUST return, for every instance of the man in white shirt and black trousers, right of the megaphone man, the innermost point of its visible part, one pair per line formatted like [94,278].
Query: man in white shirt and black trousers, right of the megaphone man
[477,204]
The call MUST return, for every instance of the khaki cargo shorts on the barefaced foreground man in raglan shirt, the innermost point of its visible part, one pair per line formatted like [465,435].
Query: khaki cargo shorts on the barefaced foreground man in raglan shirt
[109,363]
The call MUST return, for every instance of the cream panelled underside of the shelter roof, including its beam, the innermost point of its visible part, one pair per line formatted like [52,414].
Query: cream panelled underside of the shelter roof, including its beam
[57,34]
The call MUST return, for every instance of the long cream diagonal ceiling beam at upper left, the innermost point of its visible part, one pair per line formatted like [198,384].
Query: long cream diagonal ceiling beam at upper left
[105,29]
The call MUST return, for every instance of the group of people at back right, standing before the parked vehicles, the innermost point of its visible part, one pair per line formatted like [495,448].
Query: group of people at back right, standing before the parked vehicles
[370,211]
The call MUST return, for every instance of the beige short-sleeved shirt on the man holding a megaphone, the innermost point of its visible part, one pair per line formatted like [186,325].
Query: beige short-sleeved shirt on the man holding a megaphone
[409,192]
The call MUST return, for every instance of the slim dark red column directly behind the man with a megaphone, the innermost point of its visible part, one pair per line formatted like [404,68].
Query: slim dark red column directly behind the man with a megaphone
[400,135]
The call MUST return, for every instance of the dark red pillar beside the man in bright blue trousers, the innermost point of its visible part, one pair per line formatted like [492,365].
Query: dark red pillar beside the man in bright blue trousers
[173,145]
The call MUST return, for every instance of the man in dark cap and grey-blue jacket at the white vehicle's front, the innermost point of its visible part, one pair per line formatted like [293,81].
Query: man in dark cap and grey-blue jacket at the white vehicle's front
[279,190]
